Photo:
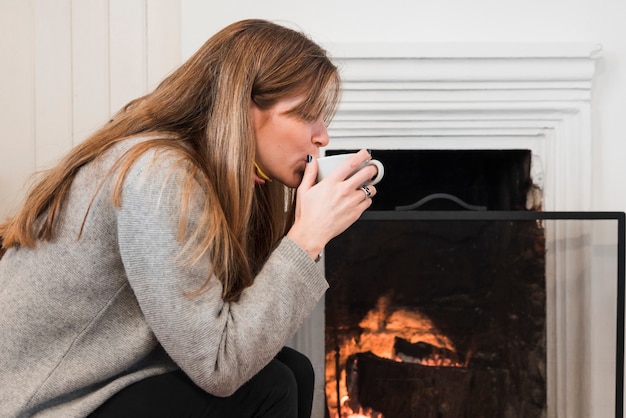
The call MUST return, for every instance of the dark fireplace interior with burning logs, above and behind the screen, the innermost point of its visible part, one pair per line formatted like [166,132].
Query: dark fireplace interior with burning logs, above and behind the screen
[459,306]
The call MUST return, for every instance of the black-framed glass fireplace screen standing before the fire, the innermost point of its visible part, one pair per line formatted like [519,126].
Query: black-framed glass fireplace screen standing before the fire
[474,314]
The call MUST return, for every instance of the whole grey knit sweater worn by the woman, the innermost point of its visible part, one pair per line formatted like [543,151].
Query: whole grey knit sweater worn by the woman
[81,319]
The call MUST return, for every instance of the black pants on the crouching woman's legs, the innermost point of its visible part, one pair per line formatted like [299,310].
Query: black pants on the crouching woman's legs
[283,389]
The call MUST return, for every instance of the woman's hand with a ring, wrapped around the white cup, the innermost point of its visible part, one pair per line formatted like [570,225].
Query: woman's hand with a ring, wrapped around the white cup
[326,209]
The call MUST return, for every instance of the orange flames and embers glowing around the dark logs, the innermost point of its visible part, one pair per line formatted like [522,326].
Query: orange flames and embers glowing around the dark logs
[381,327]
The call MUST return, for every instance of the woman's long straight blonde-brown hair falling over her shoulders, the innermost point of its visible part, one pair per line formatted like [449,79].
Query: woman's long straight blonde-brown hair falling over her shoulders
[201,111]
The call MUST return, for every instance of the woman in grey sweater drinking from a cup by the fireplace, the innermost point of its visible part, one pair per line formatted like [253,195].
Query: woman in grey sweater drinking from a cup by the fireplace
[161,267]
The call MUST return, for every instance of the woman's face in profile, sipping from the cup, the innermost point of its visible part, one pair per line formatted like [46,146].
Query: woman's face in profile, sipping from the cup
[283,141]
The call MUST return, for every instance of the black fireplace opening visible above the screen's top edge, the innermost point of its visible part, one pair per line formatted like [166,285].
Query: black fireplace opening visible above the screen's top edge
[491,179]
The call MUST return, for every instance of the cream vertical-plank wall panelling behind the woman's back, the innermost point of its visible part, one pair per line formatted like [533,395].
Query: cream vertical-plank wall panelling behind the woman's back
[68,65]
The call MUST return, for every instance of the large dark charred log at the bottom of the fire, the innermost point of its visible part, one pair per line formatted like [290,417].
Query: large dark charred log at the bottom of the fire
[410,390]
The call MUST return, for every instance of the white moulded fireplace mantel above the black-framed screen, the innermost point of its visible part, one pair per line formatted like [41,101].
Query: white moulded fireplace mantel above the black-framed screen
[475,96]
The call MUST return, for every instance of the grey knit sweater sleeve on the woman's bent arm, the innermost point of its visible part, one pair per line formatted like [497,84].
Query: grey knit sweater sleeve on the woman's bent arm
[219,345]
